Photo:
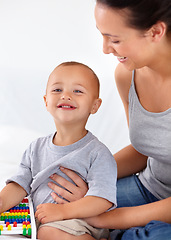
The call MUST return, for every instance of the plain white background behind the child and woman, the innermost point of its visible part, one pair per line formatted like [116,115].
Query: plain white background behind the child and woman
[35,36]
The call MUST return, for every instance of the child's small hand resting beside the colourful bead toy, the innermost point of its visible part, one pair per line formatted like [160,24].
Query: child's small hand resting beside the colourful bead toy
[49,212]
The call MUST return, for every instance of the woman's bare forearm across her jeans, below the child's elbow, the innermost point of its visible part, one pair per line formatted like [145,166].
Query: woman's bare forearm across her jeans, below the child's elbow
[127,217]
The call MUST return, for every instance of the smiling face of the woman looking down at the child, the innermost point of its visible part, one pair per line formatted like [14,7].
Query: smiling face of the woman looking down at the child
[131,47]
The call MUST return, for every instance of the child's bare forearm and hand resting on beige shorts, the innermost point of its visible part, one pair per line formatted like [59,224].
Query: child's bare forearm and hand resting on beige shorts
[88,206]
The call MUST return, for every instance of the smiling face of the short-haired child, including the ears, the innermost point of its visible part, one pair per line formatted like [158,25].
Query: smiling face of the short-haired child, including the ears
[72,94]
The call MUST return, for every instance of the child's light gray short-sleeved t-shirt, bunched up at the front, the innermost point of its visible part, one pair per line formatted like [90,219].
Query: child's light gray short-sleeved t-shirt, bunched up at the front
[88,157]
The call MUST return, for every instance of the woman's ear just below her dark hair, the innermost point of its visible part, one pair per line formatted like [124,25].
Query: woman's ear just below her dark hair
[157,31]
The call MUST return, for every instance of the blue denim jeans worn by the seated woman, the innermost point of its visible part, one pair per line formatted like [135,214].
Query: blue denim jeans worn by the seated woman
[130,192]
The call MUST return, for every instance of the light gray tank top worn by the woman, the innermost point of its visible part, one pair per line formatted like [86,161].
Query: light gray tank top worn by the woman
[150,134]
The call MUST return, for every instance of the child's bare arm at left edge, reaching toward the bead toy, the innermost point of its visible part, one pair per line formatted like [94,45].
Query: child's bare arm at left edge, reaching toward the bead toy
[11,195]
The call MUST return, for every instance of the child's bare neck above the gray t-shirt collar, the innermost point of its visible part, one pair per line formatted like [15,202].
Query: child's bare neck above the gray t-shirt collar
[69,136]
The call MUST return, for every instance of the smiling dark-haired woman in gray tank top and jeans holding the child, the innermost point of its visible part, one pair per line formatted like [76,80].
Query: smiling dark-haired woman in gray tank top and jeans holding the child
[138,33]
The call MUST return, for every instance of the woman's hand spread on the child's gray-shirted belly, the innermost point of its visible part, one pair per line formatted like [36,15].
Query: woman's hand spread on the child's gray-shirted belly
[75,192]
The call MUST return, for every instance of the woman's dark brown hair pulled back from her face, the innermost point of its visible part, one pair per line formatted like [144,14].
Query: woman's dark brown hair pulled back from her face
[143,13]
